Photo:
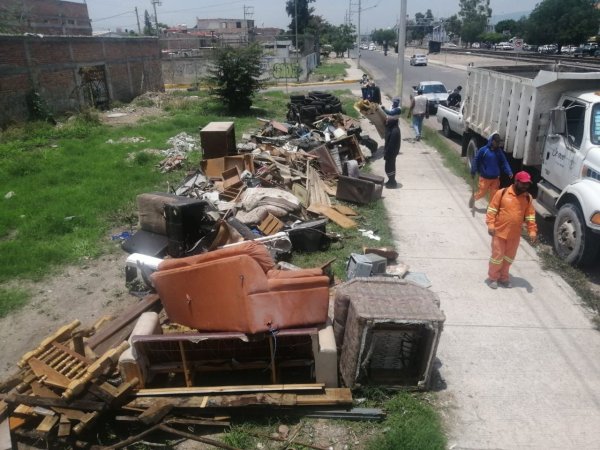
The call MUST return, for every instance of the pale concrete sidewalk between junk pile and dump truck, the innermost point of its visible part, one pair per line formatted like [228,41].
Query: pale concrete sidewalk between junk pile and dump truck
[518,368]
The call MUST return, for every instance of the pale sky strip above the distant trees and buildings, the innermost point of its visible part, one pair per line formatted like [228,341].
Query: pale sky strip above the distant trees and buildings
[113,14]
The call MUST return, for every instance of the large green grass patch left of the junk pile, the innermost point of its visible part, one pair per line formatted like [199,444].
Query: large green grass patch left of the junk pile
[67,182]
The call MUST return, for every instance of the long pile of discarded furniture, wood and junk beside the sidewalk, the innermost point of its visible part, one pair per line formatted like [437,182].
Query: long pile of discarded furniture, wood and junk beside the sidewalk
[226,324]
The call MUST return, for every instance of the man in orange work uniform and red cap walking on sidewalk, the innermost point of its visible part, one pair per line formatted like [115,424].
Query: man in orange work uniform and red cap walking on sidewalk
[507,211]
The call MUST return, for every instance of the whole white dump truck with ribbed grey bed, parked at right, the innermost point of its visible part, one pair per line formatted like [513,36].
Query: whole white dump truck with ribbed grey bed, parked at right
[549,118]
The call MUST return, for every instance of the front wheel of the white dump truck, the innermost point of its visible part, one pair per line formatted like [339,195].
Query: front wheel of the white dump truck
[573,242]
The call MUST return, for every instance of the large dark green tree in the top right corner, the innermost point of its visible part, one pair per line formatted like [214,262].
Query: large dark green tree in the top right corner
[562,22]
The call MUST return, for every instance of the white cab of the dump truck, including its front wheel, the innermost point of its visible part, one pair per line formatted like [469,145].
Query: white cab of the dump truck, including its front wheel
[570,186]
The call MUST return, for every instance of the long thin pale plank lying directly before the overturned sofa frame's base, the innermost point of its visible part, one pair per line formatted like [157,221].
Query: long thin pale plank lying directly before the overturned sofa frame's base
[229,389]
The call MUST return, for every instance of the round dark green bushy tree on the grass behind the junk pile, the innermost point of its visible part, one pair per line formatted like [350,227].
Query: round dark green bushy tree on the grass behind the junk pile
[235,72]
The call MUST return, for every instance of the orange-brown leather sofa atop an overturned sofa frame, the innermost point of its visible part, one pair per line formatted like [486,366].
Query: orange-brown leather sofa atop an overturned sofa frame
[237,289]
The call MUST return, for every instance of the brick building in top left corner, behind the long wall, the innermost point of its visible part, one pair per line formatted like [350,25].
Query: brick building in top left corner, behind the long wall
[47,17]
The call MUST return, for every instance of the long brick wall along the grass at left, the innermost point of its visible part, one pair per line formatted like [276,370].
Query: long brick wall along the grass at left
[51,66]
